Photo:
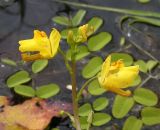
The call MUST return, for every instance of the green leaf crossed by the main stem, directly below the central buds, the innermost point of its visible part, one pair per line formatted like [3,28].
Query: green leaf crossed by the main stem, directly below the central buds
[82,51]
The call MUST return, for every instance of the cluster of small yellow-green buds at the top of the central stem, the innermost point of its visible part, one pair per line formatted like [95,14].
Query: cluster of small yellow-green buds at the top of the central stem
[80,35]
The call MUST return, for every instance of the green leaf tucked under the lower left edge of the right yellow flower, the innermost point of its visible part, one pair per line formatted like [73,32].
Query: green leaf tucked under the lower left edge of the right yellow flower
[94,88]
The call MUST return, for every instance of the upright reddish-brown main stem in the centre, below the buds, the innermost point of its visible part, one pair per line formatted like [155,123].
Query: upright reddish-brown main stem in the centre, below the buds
[74,93]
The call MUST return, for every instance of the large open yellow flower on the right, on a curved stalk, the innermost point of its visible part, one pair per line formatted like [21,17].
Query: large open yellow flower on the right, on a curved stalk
[114,77]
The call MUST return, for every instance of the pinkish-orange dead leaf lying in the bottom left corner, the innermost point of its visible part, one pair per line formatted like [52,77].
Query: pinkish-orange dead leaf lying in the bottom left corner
[34,114]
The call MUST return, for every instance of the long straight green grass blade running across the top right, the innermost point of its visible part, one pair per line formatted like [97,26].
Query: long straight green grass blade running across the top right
[111,9]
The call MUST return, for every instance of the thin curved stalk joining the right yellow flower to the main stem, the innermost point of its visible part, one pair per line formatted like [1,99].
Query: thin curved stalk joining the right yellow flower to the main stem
[84,86]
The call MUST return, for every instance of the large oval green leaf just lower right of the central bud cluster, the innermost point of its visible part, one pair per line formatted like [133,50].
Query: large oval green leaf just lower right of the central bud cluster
[97,42]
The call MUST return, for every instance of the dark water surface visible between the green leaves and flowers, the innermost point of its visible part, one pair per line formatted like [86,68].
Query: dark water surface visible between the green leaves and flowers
[18,19]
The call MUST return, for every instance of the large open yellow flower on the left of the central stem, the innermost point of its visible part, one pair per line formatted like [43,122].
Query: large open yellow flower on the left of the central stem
[40,47]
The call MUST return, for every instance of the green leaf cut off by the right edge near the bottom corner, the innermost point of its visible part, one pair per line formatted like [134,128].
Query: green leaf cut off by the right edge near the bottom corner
[150,115]
